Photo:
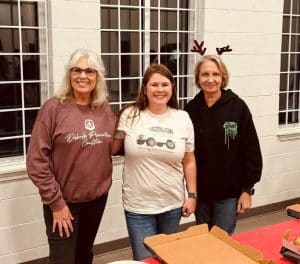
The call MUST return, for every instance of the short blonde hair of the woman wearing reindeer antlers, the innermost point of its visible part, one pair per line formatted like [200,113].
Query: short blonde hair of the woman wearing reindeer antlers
[220,64]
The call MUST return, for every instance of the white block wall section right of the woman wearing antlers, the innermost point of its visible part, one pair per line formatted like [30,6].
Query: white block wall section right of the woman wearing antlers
[253,30]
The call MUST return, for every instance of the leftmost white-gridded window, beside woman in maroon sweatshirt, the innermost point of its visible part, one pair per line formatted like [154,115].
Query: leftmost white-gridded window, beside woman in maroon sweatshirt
[23,75]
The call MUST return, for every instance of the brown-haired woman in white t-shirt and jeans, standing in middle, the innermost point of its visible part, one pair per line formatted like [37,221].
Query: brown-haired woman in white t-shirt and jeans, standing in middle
[158,141]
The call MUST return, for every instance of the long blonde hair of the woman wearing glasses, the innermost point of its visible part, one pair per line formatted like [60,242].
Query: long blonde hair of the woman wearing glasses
[100,93]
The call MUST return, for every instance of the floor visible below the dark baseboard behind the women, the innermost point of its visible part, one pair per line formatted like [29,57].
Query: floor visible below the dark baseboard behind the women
[242,226]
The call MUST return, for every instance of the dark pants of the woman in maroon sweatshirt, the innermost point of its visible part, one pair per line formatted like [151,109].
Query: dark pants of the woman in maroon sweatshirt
[78,248]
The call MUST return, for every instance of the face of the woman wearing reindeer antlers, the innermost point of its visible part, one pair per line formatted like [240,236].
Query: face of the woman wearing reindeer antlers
[210,78]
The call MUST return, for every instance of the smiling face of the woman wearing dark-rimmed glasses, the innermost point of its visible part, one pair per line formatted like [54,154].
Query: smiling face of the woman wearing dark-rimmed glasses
[82,82]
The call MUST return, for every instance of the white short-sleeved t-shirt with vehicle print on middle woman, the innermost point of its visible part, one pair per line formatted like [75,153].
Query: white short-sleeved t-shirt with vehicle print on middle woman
[153,180]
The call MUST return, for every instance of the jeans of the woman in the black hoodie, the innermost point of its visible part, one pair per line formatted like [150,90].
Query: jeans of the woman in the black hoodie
[220,213]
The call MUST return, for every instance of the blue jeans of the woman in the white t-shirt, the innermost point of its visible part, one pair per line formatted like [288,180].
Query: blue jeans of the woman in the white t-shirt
[141,226]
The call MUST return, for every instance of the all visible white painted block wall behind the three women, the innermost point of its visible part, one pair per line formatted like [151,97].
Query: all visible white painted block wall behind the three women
[253,30]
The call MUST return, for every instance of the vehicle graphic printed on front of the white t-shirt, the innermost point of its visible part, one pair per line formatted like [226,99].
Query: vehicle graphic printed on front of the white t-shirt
[158,136]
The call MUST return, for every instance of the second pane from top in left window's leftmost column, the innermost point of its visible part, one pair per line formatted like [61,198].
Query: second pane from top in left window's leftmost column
[9,40]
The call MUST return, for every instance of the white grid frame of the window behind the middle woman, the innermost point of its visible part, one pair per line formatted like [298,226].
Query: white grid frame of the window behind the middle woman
[144,53]
